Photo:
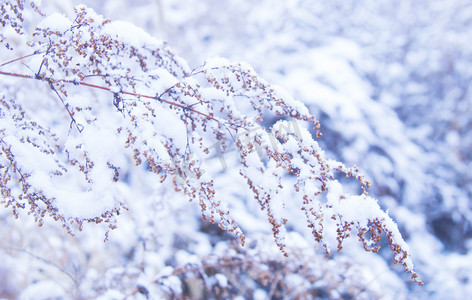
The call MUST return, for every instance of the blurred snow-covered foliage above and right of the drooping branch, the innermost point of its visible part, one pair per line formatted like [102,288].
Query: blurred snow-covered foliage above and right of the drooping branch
[392,81]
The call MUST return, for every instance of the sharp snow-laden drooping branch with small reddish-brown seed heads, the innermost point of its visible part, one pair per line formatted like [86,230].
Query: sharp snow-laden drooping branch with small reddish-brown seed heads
[158,112]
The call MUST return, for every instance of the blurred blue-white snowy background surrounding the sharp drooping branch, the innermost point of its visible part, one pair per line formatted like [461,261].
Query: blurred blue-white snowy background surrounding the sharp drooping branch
[390,82]
